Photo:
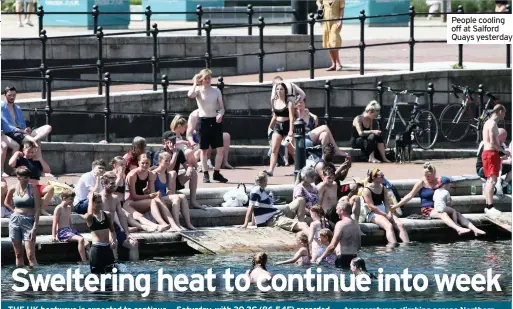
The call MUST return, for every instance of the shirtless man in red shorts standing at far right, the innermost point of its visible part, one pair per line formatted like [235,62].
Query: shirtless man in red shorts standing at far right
[491,156]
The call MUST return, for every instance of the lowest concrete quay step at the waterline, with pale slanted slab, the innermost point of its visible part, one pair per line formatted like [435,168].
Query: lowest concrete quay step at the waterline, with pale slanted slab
[248,240]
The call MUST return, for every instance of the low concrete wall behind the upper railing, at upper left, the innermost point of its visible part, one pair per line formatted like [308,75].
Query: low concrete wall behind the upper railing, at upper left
[75,51]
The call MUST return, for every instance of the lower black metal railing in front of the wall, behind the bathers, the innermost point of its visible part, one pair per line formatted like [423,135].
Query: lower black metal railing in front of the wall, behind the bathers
[164,113]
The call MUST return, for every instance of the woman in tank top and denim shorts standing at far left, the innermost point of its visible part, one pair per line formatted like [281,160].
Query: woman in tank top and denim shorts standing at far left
[24,198]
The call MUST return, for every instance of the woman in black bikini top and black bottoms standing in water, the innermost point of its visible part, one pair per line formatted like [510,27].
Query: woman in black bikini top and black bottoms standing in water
[101,255]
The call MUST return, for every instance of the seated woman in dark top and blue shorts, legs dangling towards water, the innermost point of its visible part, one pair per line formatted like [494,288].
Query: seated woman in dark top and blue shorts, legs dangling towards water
[376,198]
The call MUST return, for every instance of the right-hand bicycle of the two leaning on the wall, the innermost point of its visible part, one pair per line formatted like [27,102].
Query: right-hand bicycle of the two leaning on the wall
[460,114]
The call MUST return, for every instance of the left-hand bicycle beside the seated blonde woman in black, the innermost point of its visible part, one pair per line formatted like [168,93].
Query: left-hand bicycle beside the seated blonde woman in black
[420,122]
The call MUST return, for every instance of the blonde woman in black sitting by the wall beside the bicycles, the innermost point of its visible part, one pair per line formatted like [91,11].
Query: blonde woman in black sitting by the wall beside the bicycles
[366,136]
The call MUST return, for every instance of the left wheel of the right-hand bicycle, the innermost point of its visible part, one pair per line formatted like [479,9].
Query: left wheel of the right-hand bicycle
[454,122]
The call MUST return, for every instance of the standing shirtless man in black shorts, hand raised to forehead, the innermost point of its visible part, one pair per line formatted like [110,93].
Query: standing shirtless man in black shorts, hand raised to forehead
[211,112]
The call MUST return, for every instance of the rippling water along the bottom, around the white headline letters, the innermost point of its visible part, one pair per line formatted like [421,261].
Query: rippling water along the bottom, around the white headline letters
[468,257]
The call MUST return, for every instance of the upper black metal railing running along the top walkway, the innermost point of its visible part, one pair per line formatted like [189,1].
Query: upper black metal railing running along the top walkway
[155,61]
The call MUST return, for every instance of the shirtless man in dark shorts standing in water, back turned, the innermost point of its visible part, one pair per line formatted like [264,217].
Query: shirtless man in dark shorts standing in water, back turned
[346,237]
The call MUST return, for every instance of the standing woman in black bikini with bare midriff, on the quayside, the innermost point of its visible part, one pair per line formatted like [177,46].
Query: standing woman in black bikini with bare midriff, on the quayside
[282,123]
